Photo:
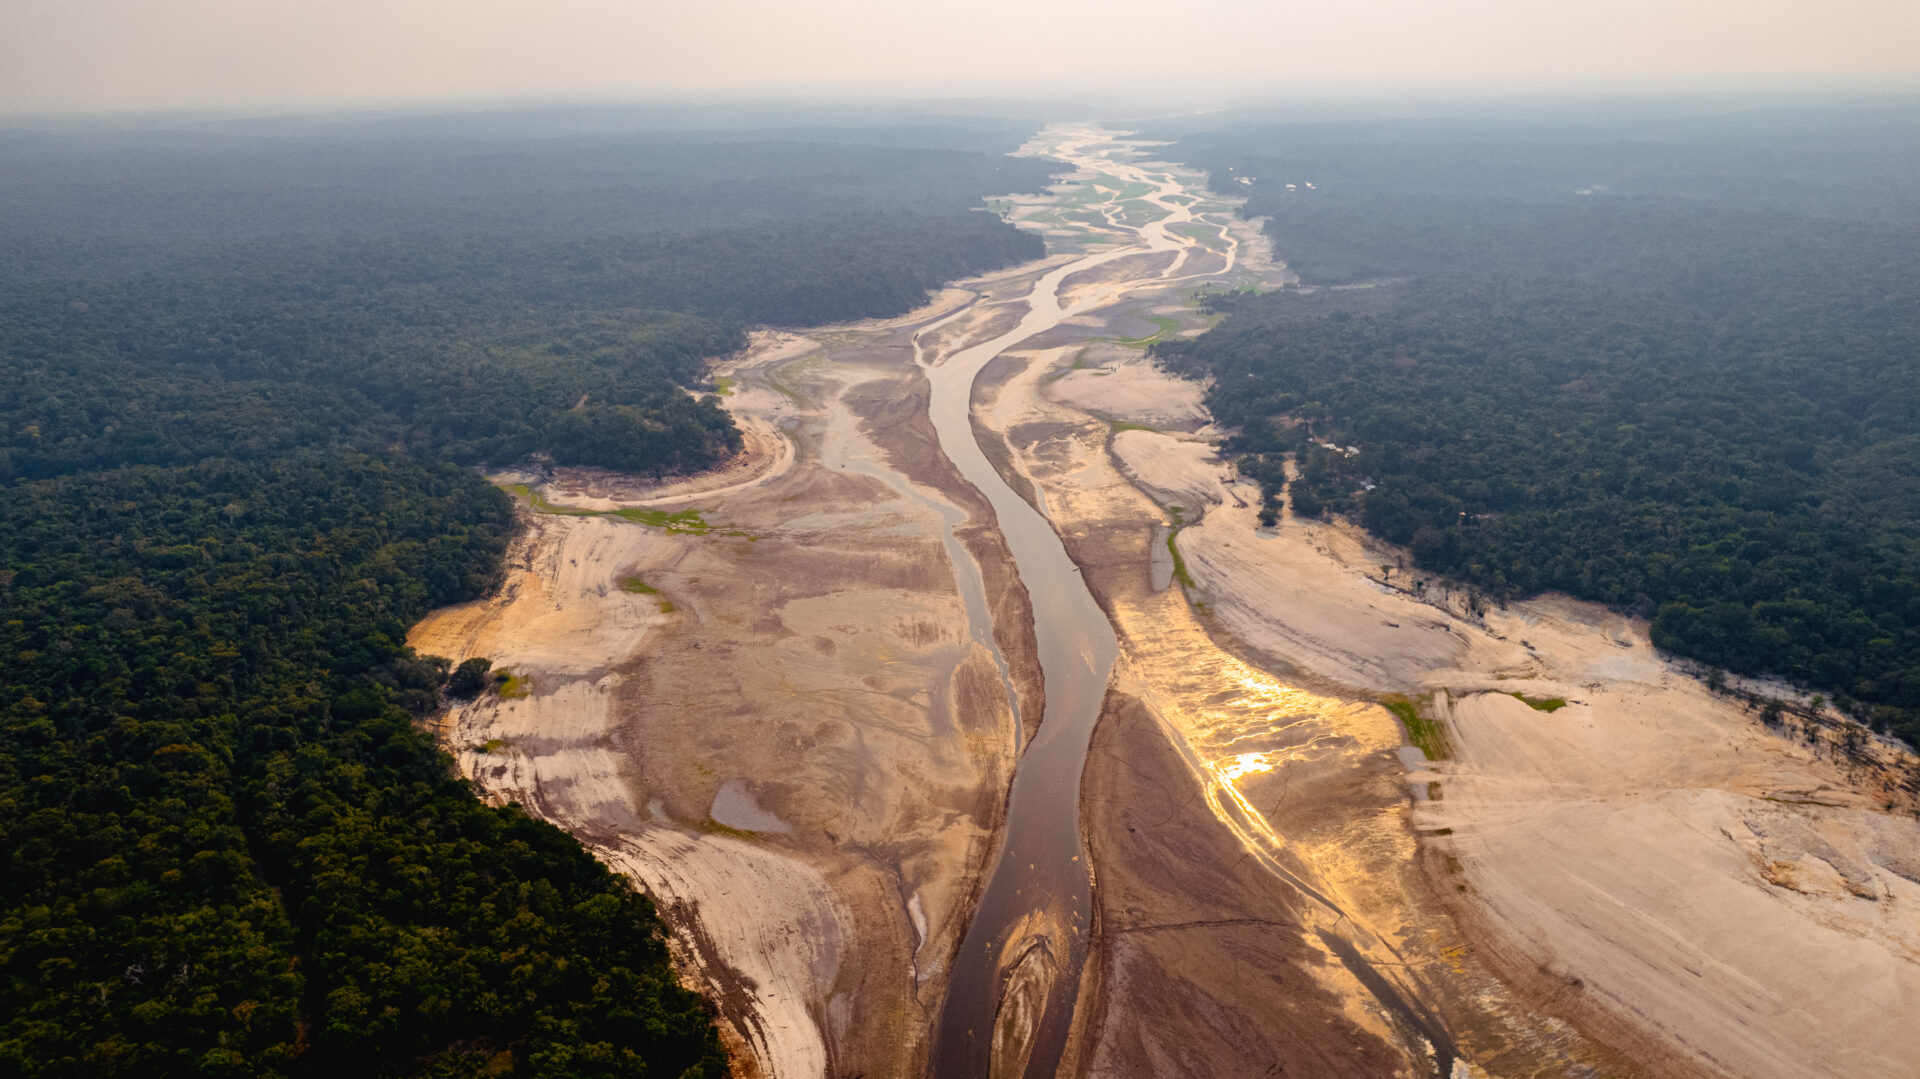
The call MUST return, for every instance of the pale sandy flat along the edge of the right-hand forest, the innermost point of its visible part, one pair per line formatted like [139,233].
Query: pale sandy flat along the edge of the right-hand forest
[1692,892]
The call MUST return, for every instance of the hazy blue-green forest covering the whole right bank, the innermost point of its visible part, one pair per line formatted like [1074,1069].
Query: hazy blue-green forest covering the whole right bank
[1669,366]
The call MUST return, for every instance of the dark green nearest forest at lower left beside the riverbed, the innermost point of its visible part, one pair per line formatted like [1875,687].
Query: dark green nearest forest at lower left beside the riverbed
[229,848]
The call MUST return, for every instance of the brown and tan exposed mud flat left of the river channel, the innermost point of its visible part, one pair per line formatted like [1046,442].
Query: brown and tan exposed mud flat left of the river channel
[788,717]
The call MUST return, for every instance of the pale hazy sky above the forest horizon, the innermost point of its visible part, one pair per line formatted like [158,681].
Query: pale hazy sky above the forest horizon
[116,55]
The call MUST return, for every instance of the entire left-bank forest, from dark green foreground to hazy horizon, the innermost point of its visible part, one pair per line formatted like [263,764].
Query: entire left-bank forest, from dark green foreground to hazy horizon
[245,383]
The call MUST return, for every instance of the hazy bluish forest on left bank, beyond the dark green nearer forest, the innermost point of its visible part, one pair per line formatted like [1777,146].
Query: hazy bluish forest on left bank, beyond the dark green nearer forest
[239,316]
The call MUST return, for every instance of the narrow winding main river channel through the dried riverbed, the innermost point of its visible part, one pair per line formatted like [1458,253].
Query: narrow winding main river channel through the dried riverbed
[1028,938]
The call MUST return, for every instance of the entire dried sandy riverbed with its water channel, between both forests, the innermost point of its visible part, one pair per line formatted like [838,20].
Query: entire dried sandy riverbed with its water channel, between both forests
[972,725]
